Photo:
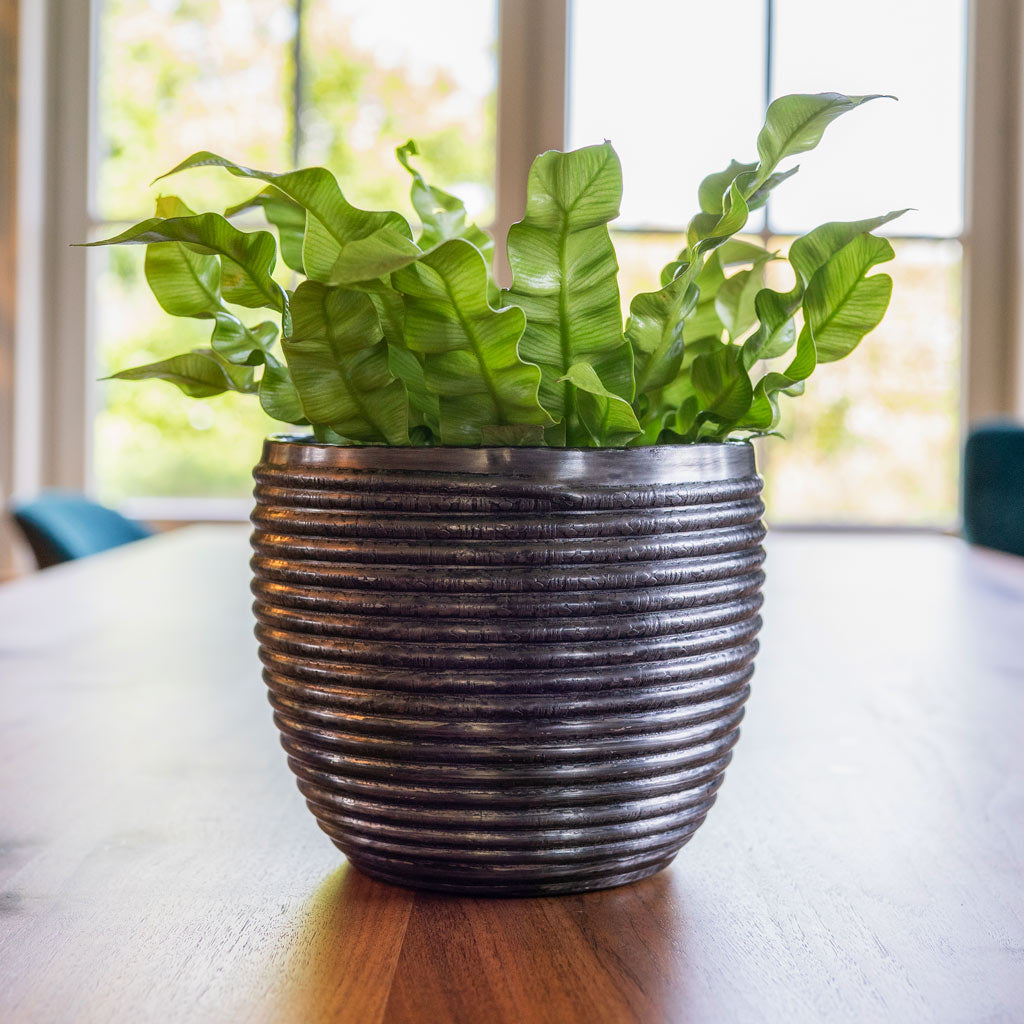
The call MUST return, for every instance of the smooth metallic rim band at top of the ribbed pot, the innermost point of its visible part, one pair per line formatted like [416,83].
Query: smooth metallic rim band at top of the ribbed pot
[701,462]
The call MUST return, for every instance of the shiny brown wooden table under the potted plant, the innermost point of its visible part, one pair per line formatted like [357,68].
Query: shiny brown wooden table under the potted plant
[865,862]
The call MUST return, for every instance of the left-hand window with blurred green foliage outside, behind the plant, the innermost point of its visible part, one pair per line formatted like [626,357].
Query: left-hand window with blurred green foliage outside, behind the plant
[273,84]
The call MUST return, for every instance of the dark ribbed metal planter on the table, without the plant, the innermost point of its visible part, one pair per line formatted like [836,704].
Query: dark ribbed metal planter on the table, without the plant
[508,671]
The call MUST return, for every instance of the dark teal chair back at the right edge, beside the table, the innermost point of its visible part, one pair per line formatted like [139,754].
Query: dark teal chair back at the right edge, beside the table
[994,487]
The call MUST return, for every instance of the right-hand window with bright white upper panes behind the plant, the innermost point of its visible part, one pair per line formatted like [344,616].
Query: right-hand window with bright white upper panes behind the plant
[876,439]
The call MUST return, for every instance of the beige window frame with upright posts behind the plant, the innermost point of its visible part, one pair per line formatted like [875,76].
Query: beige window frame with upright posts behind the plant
[49,397]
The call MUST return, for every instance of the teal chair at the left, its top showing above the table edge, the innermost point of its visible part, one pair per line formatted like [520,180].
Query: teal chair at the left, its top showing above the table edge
[62,526]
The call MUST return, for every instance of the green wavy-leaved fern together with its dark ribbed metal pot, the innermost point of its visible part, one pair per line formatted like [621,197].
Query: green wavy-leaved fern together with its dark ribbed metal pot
[507,582]
